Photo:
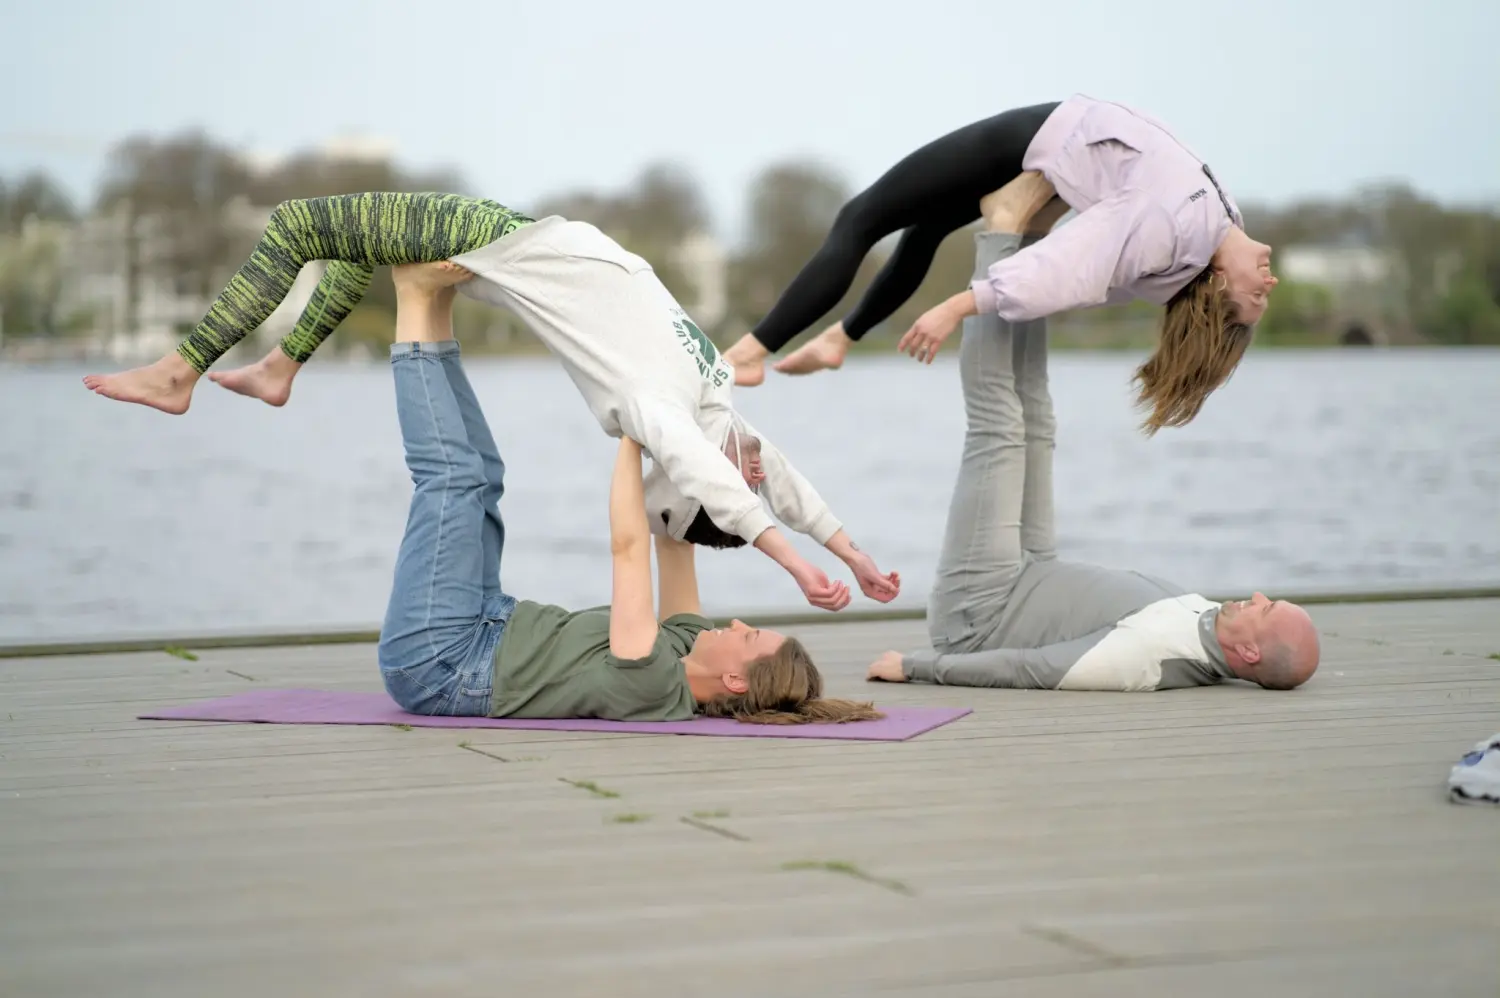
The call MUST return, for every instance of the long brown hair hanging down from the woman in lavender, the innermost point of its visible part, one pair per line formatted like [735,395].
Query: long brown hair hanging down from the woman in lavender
[1202,343]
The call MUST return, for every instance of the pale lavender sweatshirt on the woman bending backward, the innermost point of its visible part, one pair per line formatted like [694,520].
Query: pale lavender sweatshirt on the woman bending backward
[1150,217]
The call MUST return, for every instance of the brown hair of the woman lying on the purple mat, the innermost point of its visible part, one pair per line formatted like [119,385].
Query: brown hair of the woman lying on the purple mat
[788,690]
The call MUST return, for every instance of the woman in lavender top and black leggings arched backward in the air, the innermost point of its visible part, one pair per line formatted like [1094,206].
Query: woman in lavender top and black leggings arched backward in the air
[1153,224]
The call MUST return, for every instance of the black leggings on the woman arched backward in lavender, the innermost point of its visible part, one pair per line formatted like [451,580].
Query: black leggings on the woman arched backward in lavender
[929,194]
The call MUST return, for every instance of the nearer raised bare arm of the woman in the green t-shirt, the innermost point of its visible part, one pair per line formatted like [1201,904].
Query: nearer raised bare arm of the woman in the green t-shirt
[632,619]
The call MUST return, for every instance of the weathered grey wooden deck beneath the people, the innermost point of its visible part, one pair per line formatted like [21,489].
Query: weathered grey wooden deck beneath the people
[1204,843]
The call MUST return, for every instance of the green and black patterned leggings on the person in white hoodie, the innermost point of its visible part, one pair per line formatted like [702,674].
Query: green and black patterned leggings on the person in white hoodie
[356,233]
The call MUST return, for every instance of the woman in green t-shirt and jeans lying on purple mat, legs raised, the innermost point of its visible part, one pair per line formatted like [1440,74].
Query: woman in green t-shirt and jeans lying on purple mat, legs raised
[455,643]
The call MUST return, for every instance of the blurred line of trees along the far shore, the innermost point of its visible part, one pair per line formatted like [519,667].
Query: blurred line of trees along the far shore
[188,212]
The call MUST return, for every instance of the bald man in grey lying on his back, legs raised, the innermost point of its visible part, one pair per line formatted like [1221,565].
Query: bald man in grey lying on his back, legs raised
[1007,613]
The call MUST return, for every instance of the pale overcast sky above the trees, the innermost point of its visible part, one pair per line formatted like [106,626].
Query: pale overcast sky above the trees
[1285,98]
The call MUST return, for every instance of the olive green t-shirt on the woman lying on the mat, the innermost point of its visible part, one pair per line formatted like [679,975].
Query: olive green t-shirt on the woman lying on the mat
[554,663]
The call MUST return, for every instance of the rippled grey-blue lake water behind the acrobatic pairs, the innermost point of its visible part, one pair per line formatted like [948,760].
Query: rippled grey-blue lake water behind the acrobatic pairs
[1339,470]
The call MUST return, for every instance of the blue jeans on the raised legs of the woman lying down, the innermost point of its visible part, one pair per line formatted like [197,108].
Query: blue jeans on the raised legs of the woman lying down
[448,612]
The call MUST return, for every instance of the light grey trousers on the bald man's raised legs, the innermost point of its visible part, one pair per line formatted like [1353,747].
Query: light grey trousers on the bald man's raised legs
[1001,516]
